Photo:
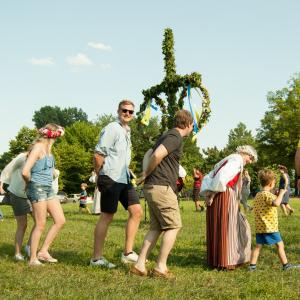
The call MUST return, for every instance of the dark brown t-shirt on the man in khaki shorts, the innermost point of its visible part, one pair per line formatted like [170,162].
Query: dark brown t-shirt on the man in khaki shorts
[167,172]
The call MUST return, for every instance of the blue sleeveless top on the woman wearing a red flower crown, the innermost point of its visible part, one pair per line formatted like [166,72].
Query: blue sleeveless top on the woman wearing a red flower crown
[42,171]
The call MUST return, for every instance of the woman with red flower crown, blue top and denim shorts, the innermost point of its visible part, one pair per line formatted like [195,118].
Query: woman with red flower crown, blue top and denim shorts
[38,176]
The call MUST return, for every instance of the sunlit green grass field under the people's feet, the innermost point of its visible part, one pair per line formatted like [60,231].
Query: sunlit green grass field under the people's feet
[73,278]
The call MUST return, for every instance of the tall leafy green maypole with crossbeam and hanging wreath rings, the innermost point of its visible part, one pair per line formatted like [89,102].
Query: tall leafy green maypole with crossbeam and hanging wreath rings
[174,87]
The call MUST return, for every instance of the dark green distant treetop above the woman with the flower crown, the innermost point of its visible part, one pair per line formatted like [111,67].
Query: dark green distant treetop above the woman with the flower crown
[54,114]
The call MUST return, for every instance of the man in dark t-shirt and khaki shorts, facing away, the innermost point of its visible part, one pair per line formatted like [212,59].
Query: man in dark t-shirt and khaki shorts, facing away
[160,192]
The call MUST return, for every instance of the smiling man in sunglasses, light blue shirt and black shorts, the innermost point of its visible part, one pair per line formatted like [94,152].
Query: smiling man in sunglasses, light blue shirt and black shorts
[111,162]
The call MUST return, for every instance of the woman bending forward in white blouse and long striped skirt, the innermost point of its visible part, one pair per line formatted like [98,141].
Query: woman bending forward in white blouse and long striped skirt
[227,231]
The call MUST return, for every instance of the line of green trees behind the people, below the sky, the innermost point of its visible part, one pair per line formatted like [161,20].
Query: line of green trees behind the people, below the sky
[276,140]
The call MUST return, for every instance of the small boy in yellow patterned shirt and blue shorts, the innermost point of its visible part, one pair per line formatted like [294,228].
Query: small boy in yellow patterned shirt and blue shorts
[266,220]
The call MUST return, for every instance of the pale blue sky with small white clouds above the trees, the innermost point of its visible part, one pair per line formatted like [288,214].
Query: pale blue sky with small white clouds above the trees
[91,54]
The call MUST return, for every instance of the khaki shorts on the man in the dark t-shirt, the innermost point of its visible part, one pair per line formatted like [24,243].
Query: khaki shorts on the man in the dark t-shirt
[163,207]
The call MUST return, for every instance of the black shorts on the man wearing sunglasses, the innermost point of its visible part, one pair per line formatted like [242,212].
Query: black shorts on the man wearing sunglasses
[112,192]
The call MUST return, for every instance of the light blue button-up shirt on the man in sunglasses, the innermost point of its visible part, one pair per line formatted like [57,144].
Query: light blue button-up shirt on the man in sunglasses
[115,145]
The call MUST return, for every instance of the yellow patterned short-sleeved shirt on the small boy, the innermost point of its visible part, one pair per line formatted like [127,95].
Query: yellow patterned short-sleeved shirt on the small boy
[266,218]
